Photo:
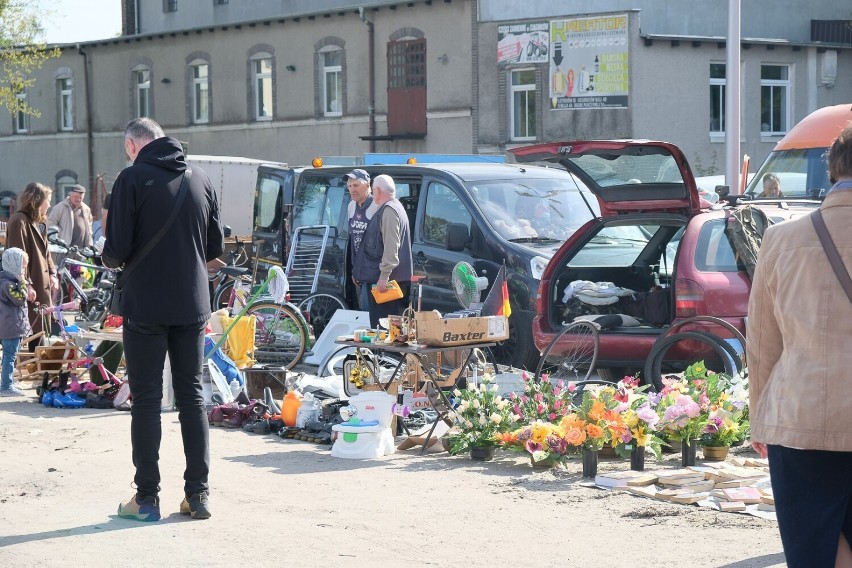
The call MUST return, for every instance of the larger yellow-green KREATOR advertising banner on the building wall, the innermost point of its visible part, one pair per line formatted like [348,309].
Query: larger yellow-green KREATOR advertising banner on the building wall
[589,62]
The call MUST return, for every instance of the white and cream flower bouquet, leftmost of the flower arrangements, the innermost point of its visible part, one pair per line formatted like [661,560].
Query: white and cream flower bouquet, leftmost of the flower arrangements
[480,414]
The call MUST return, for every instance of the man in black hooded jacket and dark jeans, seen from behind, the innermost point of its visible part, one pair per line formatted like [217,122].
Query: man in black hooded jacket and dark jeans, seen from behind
[166,304]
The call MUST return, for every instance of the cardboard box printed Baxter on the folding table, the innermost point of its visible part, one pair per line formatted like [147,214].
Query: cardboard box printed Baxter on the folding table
[437,331]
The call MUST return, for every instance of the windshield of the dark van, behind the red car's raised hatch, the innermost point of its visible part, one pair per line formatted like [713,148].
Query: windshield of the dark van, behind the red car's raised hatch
[547,209]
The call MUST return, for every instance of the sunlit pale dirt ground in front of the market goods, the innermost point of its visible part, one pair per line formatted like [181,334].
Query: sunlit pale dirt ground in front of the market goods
[289,503]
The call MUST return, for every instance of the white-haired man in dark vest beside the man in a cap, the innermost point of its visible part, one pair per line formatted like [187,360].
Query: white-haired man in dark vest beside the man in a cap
[385,250]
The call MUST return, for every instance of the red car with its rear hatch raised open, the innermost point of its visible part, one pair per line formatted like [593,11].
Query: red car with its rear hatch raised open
[658,254]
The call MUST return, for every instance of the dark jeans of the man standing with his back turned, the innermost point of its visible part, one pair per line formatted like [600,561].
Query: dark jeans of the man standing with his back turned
[145,347]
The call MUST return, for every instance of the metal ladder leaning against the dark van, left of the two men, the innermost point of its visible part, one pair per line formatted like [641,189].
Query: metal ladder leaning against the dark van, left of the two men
[307,249]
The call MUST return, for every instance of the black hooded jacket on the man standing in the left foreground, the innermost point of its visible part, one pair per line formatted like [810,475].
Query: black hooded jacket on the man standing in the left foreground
[170,286]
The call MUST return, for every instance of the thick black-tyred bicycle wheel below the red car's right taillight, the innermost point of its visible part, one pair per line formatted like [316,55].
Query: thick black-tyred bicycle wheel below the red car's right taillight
[718,358]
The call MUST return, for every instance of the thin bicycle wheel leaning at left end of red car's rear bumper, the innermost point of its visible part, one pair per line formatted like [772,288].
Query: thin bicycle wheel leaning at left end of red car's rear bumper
[572,354]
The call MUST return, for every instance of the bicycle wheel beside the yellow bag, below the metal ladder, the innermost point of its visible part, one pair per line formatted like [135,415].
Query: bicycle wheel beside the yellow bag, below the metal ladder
[280,335]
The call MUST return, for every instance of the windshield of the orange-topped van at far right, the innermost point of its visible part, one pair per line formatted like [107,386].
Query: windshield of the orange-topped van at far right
[801,173]
